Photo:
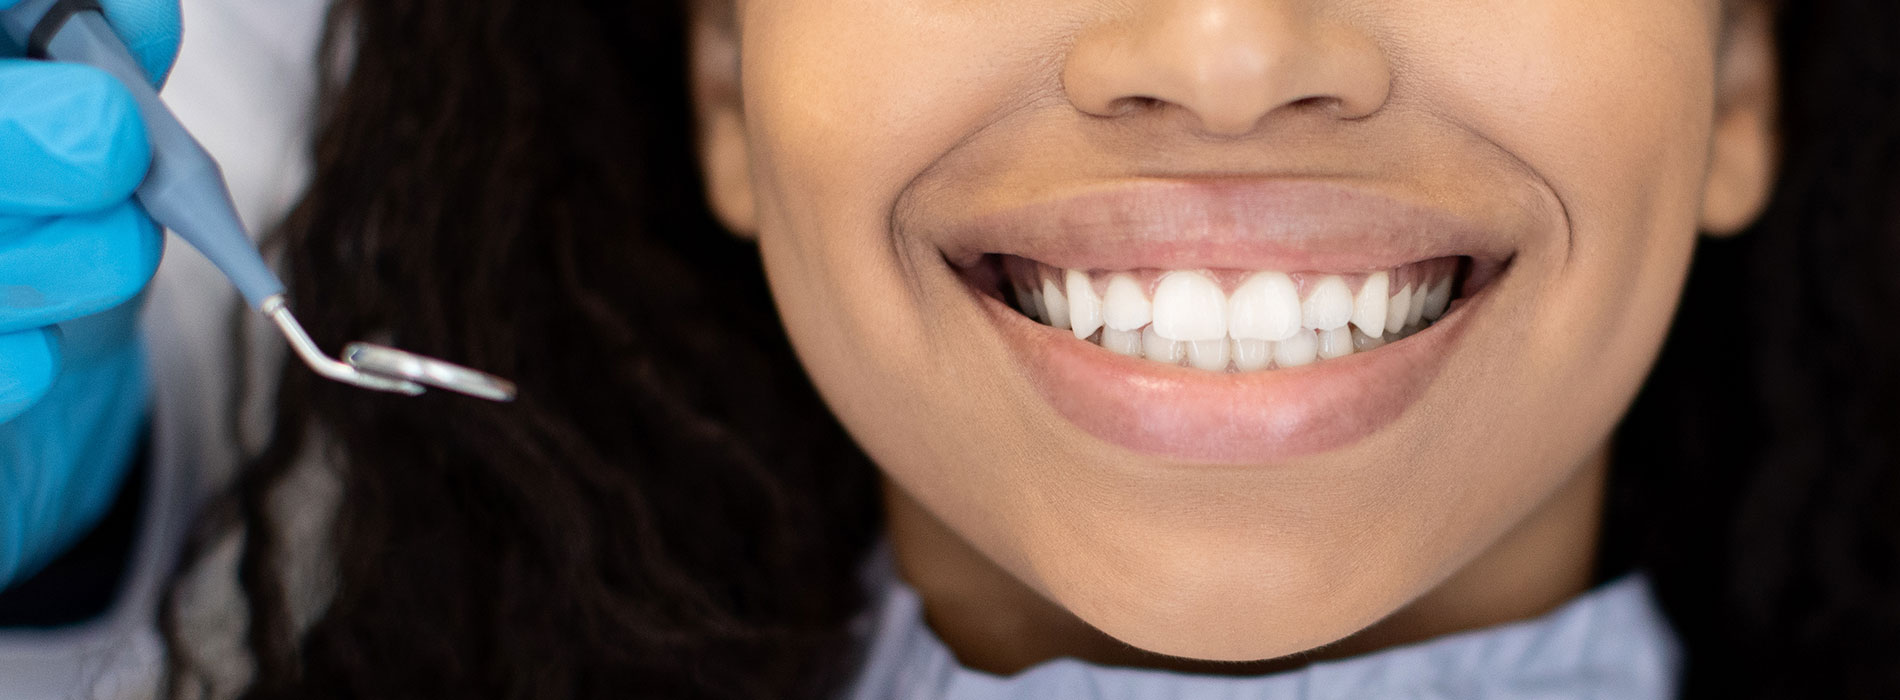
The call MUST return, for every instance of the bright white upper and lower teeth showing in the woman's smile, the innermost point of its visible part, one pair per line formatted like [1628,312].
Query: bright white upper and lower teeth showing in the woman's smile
[1187,317]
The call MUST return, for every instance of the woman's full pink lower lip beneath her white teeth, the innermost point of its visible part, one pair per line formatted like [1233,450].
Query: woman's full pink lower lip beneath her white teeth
[1228,418]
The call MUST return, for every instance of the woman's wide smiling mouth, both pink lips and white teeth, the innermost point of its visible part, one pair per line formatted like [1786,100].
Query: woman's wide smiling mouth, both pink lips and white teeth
[1232,321]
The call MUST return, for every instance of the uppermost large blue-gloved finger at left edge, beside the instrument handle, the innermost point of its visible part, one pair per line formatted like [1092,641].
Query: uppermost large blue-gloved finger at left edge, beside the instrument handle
[71,140]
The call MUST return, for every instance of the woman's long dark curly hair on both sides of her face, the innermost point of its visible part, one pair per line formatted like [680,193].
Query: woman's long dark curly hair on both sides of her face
[672,513]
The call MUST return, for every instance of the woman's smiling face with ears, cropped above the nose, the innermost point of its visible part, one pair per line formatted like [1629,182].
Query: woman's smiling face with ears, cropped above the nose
[1363,286]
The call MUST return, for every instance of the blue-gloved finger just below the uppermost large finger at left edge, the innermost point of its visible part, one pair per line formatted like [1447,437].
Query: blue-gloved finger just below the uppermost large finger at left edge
[58,269]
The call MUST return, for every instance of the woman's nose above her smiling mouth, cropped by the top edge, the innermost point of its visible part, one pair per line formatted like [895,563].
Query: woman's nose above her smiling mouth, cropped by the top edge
[1228,64]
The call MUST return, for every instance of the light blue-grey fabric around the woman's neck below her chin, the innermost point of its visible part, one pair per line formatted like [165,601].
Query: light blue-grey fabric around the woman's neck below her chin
[1610,644]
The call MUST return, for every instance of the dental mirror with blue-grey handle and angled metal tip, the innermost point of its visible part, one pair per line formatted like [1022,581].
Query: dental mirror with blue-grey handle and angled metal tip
[185,191]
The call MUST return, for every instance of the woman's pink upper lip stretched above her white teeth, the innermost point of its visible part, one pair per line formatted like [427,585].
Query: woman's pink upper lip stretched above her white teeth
[1245,224]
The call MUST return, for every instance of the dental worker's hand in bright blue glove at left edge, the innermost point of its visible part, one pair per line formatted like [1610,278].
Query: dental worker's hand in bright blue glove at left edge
[75,254]
